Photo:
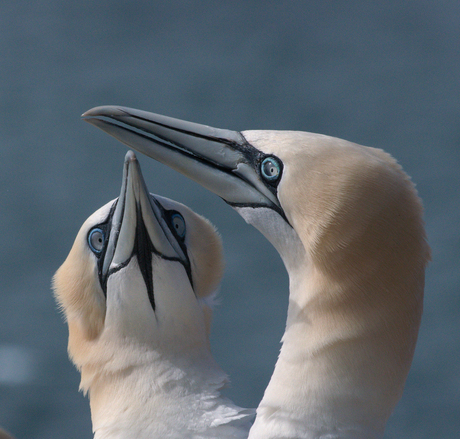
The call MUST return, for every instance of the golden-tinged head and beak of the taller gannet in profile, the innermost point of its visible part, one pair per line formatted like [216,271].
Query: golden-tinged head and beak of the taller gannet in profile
[324,188]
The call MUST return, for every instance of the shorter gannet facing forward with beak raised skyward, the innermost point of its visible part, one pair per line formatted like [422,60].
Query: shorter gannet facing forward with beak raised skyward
[137,291]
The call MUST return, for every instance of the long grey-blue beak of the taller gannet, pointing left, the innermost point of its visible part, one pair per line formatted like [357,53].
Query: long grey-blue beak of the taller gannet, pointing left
[220,160]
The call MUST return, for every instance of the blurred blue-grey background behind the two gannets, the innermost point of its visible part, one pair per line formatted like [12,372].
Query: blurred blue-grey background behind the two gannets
[383,74]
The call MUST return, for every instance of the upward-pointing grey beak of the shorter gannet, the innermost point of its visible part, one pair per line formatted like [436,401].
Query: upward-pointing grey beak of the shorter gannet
[137,226]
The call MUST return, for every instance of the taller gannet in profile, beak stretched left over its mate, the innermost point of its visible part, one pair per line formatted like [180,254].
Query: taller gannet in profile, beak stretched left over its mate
[347,223]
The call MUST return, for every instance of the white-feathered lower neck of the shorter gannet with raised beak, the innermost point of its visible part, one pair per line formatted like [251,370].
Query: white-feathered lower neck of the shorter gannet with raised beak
[164,399]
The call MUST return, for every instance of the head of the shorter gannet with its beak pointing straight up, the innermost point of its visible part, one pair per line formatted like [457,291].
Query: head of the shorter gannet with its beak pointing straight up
[138,281]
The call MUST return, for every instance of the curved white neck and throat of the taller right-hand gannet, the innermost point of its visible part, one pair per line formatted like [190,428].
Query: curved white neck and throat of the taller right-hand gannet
[346,350]
